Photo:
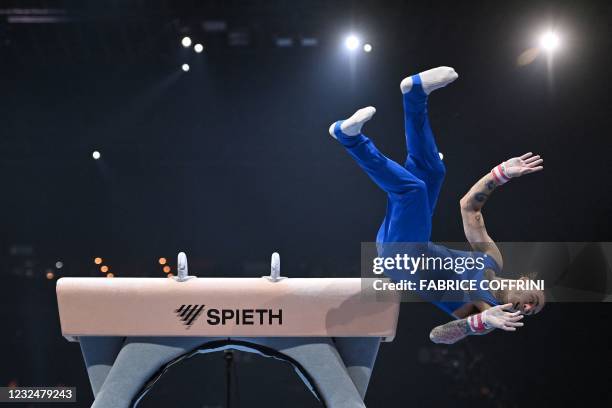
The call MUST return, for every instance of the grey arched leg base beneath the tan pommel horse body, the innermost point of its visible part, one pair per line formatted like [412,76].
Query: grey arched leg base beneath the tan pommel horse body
[118,368]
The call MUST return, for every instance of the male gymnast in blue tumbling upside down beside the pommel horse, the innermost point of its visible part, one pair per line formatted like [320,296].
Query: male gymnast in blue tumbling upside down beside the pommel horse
[412,191]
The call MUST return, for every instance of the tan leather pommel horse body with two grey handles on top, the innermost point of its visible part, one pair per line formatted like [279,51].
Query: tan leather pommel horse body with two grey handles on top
[222,307]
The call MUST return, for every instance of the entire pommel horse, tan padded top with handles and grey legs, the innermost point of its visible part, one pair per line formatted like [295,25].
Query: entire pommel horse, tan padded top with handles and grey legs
[131,329]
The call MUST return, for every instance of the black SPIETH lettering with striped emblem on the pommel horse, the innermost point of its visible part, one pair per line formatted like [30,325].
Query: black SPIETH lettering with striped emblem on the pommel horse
[188,314]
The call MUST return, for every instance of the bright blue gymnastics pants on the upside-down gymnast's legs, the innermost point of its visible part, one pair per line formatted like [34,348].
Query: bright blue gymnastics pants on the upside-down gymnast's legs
[412,189]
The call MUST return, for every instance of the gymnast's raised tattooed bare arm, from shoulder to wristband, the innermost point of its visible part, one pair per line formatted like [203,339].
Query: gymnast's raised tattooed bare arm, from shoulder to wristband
[473,221]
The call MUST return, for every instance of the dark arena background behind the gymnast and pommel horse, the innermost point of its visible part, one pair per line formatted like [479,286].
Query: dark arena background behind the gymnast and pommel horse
[228,158]
